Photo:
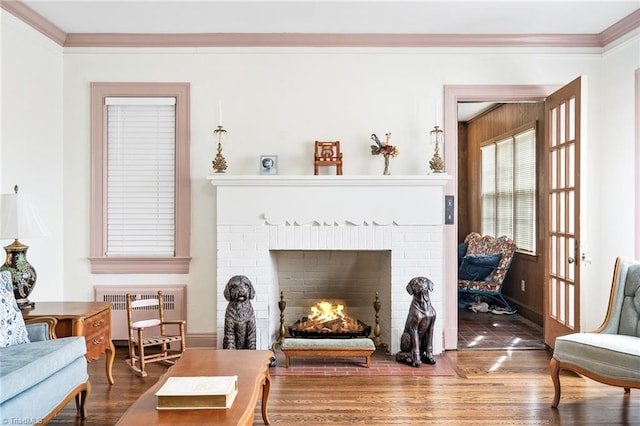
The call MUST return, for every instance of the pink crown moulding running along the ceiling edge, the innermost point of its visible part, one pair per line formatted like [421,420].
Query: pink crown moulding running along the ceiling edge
[41,24]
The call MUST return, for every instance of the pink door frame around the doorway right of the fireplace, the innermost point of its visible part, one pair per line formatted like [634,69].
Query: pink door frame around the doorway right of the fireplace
[452,95]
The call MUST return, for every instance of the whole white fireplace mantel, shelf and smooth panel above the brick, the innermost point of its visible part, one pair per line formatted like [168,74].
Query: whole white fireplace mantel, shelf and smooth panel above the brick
[315,199]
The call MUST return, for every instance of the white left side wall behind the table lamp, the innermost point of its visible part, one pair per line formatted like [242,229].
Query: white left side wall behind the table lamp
[31,142]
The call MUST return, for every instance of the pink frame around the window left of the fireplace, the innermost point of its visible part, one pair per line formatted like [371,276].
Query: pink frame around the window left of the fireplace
[101,263]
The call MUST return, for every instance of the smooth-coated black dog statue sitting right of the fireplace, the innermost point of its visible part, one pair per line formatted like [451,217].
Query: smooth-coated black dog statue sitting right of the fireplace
[416,343]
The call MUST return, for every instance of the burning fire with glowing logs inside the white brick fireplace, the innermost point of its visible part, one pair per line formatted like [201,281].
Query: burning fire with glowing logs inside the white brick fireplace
[329,318]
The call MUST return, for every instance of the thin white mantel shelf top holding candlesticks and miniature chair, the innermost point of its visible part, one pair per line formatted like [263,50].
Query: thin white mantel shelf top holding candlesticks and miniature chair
[439,179]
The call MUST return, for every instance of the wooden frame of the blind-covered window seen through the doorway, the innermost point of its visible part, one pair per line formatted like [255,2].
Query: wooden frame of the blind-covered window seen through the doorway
[494,141]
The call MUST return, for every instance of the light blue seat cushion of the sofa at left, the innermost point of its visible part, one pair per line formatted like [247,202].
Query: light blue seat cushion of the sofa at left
[24,366]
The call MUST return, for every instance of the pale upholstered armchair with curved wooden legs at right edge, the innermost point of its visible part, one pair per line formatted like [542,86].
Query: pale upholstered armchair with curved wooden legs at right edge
[610,354]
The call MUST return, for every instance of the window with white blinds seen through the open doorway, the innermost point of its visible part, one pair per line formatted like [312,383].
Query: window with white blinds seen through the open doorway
[508,189]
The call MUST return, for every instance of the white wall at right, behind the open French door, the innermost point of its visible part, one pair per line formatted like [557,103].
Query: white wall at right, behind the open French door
[610,188]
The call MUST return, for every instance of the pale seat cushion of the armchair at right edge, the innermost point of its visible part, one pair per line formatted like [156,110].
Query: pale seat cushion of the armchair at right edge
[613,356]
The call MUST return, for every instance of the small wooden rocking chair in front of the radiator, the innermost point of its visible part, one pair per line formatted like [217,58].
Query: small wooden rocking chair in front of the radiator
[144,316]
